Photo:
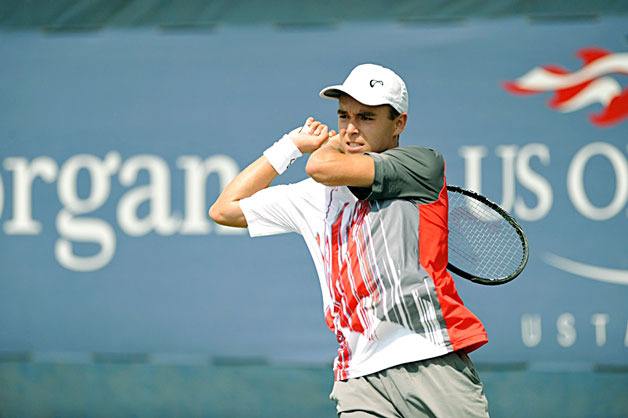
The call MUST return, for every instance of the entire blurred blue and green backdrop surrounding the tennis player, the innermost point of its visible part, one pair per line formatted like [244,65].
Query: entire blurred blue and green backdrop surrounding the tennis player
[120,122]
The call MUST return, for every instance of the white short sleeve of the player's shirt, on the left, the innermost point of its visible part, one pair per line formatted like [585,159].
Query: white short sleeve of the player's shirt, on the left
[280,209]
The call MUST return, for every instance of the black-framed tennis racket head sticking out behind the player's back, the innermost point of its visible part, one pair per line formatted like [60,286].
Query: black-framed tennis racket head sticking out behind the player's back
[486,244]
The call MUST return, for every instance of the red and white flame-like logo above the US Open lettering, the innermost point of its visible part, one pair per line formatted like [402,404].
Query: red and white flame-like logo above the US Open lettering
[586,86]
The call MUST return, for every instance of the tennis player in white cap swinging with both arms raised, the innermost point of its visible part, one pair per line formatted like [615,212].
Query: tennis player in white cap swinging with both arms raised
[374,218]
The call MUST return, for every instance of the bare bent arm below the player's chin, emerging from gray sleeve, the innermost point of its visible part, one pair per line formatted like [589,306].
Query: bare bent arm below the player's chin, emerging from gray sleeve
[330,166]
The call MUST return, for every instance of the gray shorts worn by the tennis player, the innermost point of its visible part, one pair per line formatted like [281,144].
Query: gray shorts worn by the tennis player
[446,386]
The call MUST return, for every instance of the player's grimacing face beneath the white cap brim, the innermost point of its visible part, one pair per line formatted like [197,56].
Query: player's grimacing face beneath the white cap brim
[368,128]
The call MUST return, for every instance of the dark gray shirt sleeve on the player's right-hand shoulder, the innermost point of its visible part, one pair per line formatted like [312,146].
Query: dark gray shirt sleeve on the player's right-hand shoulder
[414,173]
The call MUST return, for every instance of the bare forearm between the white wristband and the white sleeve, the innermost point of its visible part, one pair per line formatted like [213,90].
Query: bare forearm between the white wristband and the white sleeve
[257,176]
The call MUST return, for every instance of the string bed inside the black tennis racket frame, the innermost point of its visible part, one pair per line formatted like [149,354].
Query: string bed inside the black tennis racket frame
[481,241]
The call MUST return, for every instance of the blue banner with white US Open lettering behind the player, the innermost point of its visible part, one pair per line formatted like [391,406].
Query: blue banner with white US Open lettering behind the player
[114,144]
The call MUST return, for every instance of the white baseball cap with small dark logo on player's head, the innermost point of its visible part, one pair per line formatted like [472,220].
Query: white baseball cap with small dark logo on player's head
[372,85]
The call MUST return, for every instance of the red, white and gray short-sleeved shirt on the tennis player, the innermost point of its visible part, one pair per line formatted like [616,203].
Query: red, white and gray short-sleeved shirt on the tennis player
[381,261]
